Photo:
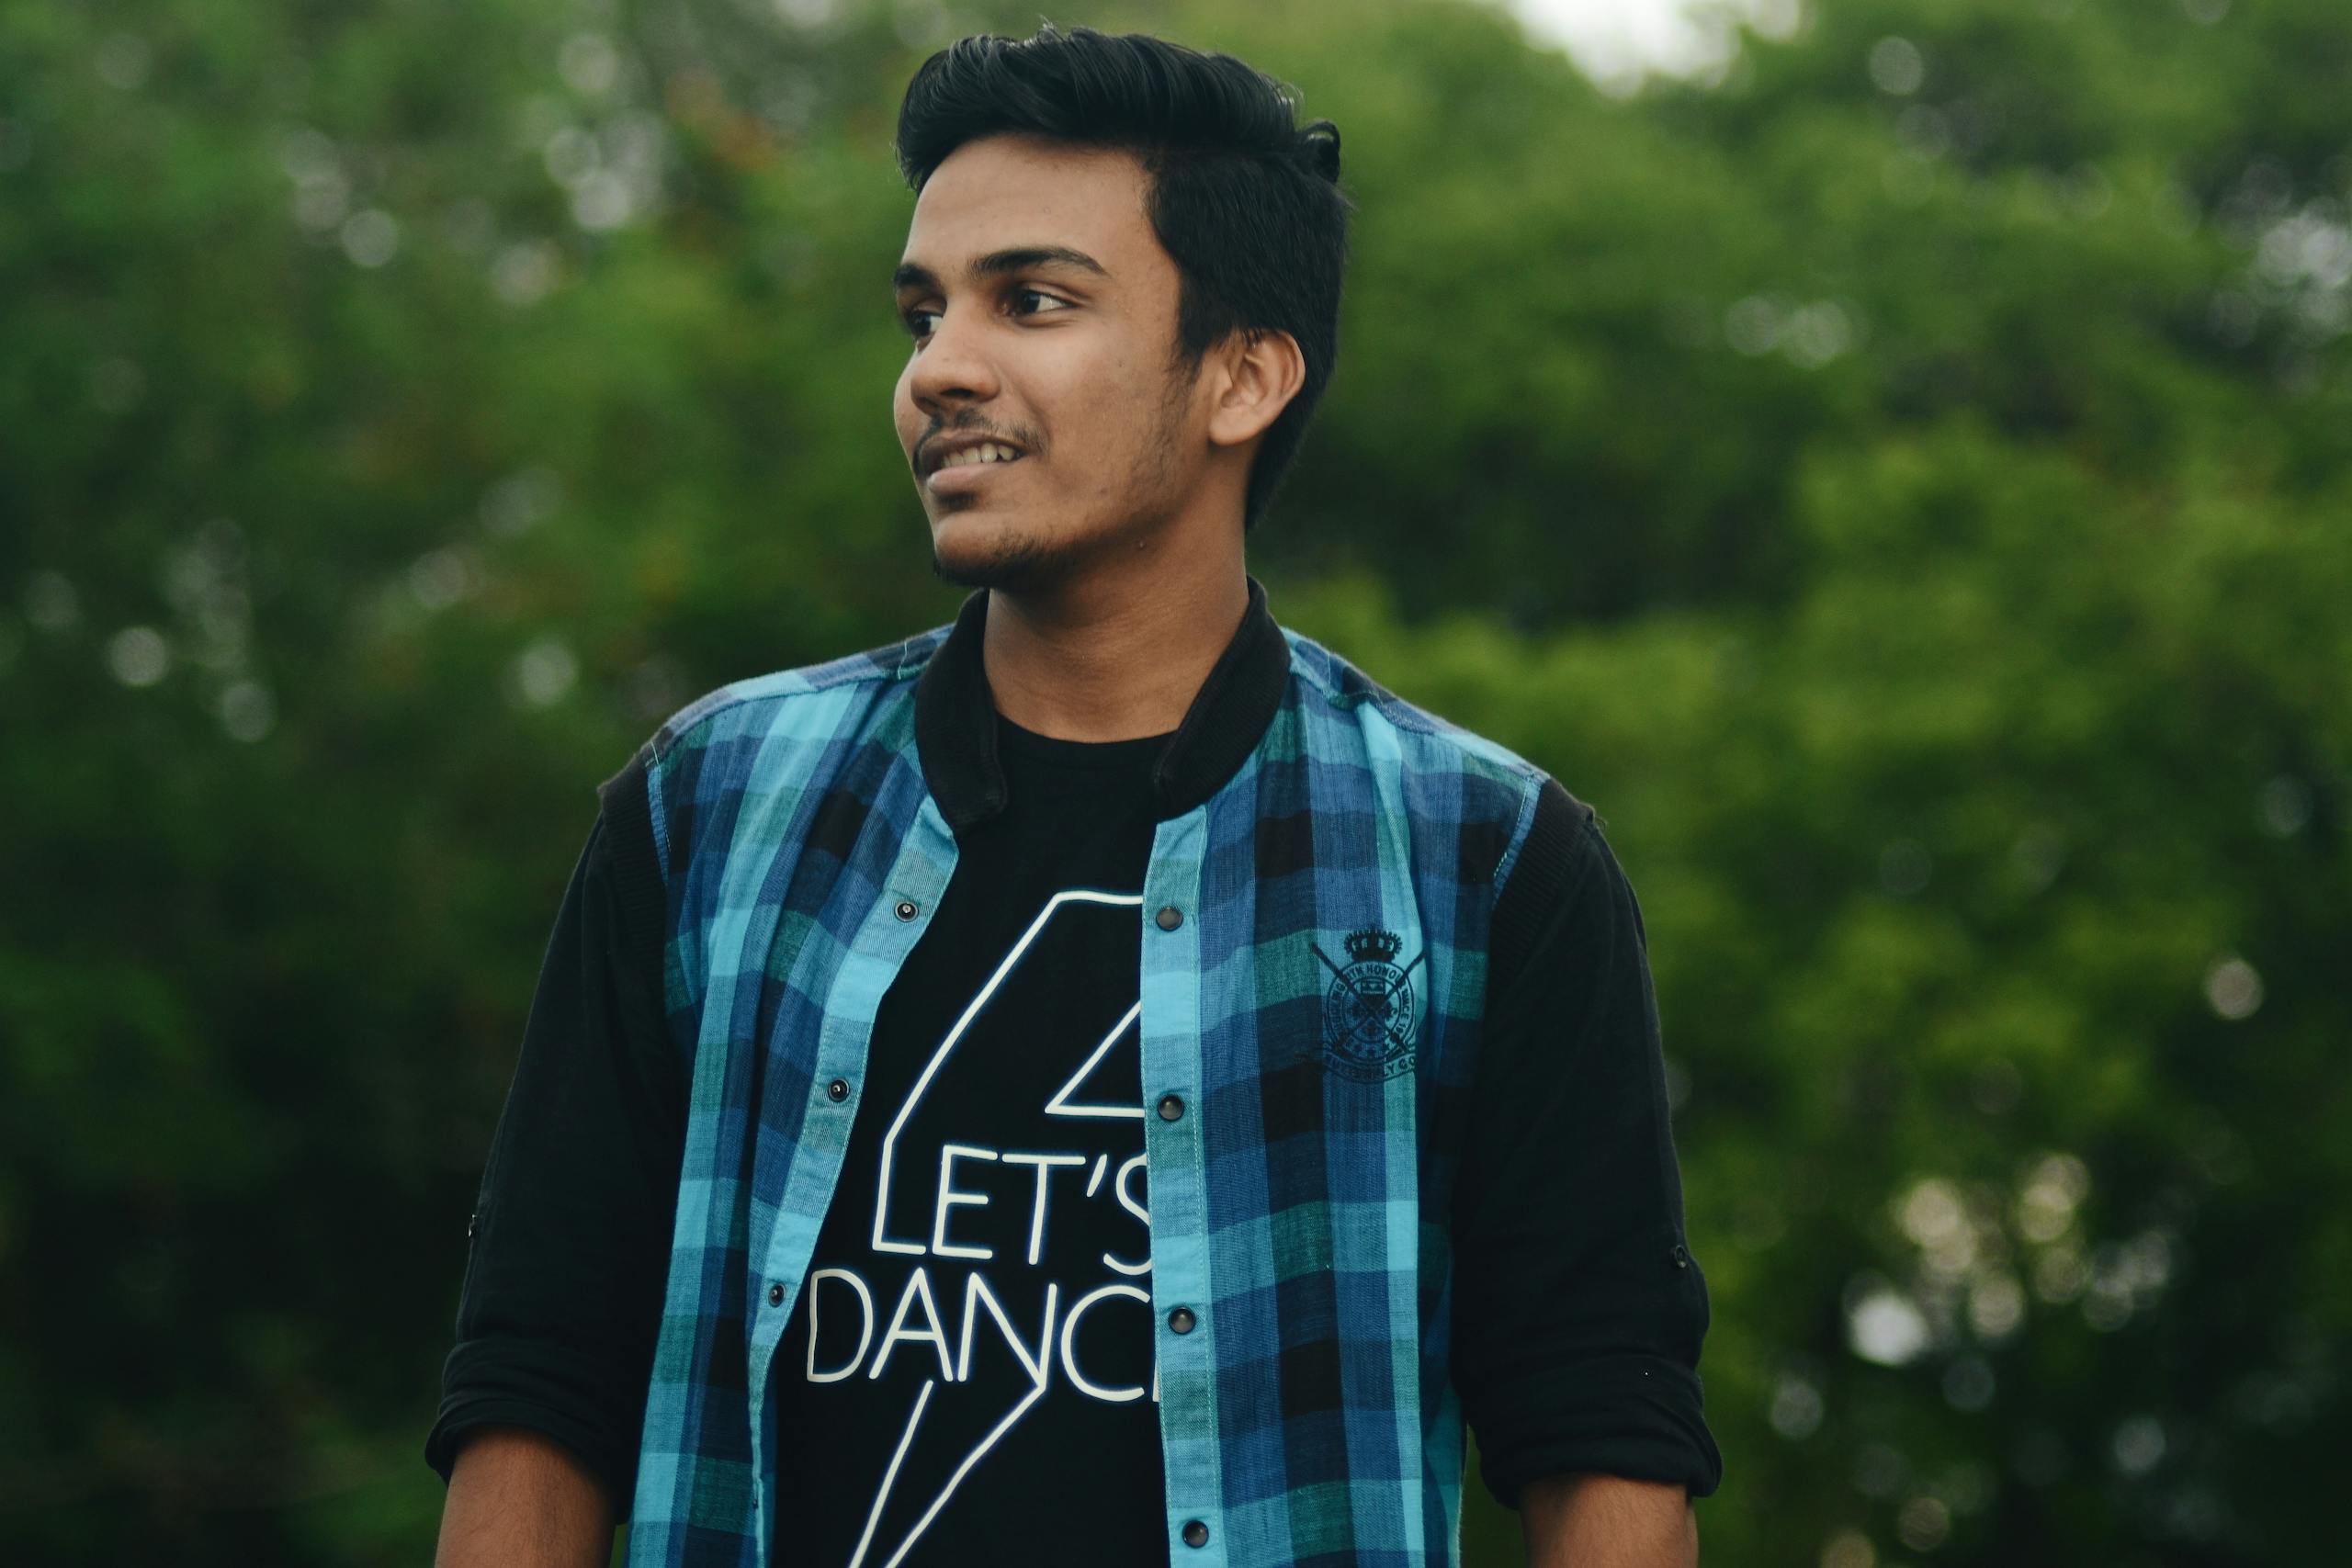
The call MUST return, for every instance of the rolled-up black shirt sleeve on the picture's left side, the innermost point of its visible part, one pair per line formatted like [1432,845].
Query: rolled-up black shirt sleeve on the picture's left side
[573,1231]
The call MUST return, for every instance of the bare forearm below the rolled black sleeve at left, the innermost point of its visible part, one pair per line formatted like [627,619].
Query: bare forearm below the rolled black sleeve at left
[523,1501]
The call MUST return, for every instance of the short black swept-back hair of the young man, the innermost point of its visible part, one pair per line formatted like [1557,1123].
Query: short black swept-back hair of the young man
[1243,199]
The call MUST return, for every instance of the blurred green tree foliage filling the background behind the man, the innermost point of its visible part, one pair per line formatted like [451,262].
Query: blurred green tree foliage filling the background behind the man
[1902,483]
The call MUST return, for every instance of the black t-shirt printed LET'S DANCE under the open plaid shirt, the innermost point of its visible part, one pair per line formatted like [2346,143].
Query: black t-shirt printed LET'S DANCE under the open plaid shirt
[970,1365]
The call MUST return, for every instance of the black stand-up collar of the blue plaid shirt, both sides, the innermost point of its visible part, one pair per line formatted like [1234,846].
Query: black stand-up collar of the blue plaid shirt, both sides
[956,718]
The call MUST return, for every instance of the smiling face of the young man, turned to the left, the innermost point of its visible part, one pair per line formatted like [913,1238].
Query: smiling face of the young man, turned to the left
[1043,314]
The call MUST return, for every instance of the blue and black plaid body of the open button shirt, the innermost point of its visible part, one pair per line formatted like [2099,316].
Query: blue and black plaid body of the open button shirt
[1316,1007]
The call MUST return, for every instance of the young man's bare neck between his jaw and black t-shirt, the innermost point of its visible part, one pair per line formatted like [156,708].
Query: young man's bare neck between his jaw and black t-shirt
[1118,655]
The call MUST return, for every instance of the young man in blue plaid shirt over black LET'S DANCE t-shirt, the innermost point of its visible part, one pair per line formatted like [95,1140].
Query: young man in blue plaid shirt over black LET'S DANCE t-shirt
[1100,1083]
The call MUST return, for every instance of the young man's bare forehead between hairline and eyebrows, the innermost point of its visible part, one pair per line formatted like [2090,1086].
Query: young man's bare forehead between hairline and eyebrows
[1022,192]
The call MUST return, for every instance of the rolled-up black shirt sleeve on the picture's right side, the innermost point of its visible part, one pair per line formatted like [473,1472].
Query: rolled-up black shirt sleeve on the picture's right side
[1579,1308]
